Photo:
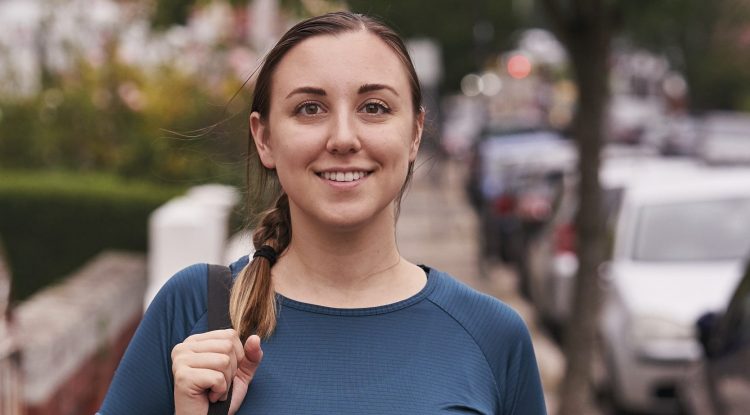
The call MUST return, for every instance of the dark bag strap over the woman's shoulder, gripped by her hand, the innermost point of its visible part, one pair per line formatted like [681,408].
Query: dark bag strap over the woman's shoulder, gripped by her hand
[219,283]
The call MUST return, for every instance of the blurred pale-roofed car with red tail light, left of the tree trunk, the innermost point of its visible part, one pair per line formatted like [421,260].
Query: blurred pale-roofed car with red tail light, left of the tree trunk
[512,183]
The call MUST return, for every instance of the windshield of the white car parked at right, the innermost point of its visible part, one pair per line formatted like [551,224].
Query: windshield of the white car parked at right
[696,231]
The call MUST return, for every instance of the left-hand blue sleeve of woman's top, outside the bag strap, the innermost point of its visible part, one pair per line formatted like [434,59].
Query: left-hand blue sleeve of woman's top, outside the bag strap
[143,382]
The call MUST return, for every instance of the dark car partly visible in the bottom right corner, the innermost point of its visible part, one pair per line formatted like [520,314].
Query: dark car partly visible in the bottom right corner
[720,384]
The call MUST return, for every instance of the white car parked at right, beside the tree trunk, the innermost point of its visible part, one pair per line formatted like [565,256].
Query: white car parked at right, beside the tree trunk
[678,248]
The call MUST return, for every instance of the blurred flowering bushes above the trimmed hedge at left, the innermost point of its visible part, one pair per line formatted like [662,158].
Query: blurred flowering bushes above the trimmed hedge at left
[160,126]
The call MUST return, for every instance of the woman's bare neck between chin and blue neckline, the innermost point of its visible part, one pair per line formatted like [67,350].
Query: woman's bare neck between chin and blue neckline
[348,269]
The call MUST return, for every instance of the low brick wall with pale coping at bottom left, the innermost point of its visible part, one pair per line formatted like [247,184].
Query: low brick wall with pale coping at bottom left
[72,336]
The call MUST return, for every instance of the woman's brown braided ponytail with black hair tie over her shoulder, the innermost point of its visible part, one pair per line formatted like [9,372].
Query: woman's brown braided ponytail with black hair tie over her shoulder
[252,303]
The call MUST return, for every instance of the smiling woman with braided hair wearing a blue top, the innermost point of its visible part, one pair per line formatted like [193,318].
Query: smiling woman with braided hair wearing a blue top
[347,325]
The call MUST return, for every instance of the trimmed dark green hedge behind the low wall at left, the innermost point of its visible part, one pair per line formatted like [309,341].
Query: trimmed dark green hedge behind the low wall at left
[51,223]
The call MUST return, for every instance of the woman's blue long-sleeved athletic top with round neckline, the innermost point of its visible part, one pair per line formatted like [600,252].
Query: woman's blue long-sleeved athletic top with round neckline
[447,349]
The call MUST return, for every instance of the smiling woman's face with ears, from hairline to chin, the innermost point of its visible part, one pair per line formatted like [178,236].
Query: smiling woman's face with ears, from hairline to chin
[341,129]
